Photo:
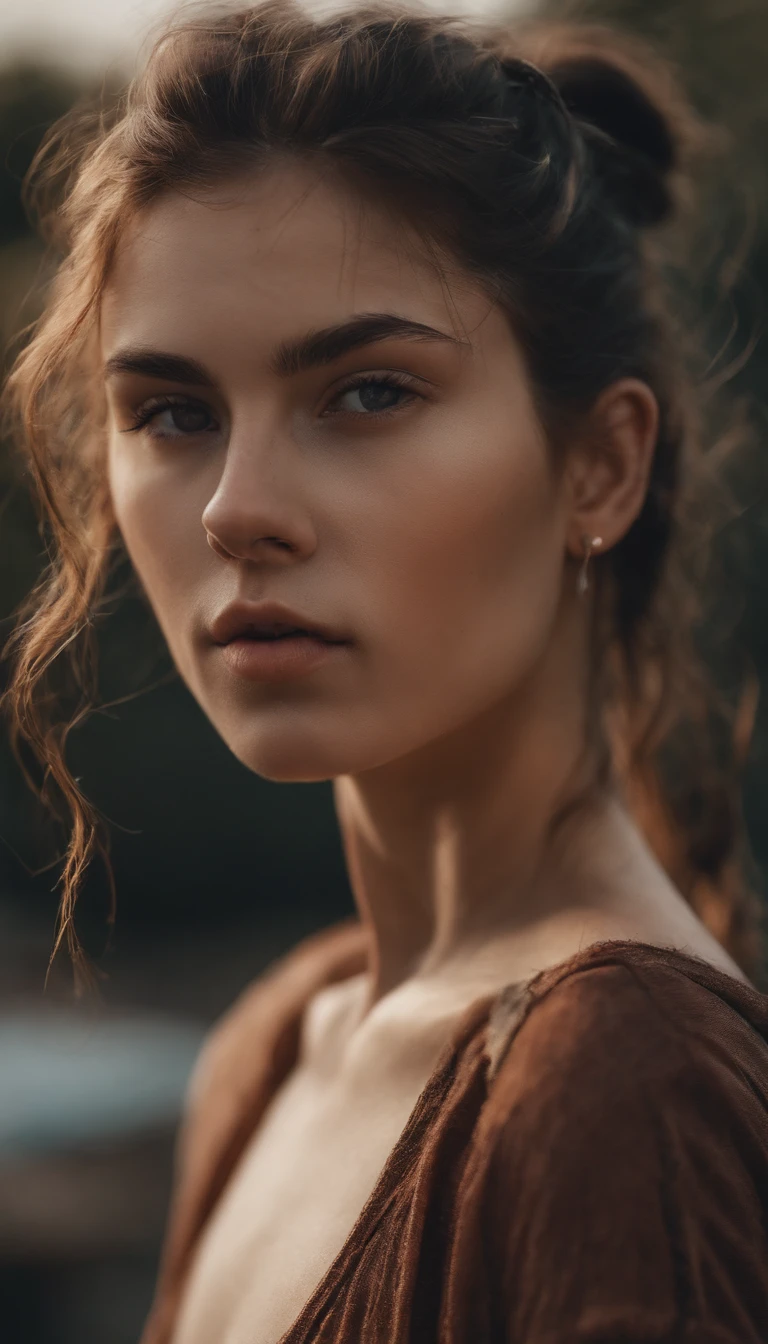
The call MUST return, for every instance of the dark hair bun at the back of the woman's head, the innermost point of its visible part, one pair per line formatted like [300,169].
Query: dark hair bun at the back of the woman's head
[631,139]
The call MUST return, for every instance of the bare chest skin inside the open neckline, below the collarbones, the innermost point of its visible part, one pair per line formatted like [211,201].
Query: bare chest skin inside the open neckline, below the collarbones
[291,1205]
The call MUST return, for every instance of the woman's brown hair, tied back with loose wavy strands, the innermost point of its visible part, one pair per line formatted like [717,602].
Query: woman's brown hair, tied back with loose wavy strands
[541,158]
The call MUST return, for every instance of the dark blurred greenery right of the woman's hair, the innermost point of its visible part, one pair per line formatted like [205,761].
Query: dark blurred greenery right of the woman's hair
[720,49]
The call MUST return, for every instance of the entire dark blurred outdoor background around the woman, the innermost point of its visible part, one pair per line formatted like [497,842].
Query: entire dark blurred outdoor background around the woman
[220,872]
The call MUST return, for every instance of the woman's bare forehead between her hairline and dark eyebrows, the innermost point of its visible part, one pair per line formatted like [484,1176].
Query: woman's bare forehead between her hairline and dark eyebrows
[271,252]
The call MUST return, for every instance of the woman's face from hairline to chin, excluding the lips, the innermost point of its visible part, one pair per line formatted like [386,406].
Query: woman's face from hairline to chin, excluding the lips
[399,490]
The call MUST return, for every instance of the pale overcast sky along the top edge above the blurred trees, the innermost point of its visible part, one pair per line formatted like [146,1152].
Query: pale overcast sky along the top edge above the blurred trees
[95,33]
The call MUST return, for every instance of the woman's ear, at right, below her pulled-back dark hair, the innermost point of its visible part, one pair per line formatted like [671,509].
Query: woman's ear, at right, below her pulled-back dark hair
[610,466]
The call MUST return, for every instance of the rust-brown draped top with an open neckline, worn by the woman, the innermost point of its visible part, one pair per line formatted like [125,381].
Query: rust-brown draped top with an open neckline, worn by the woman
[588,1163]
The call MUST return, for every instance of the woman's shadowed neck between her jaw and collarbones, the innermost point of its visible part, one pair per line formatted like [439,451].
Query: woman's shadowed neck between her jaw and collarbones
[450,849]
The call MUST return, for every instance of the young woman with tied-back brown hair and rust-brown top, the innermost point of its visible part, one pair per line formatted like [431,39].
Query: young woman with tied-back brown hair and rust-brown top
[360,349]
